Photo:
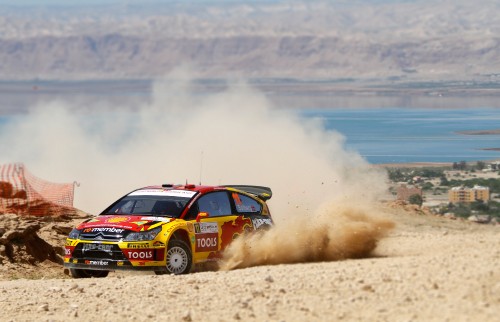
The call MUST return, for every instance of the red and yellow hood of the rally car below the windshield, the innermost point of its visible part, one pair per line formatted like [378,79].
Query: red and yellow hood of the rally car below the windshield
[134,223]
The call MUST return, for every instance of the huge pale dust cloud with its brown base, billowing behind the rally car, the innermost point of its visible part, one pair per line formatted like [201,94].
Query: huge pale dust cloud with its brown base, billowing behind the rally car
[232,137]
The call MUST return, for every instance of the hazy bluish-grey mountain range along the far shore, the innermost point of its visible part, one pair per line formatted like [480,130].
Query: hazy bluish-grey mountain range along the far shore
[333,40]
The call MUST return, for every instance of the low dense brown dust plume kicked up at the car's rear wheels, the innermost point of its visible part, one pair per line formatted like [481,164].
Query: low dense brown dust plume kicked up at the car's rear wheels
[339,233]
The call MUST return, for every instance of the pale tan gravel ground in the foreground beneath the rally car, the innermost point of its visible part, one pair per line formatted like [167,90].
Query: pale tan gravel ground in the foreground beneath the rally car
[427,269]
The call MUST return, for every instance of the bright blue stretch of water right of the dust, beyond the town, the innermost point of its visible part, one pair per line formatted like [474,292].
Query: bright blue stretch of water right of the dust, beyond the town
[397,135]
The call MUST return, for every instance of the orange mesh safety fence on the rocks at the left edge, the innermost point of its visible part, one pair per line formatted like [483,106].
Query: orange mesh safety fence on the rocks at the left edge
[22,192]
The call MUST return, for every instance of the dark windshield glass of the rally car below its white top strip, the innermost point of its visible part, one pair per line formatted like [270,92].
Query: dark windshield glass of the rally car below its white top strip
[167,206]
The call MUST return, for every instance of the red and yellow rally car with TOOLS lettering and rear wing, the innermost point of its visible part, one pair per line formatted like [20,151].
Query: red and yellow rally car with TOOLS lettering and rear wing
[166,229]
